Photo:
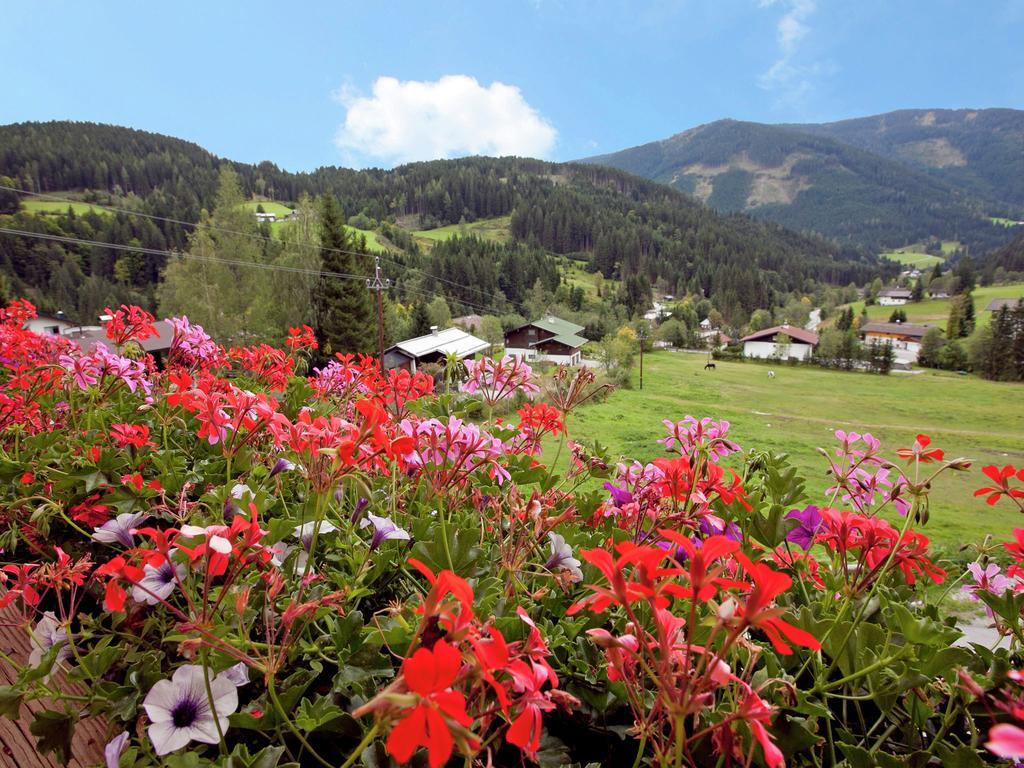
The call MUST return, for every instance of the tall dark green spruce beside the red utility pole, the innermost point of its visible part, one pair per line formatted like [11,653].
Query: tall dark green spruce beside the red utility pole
[346,321]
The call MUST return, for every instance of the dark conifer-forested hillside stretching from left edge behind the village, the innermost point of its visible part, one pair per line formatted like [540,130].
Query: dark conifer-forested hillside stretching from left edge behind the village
[625,227]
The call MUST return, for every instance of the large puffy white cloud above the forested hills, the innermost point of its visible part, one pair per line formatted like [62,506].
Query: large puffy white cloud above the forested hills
[407,121]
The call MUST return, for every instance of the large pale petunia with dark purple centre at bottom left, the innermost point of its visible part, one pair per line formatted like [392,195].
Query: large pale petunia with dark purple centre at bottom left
[181,712]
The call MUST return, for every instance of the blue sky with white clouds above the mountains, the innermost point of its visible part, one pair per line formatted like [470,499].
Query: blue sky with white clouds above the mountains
[376,83]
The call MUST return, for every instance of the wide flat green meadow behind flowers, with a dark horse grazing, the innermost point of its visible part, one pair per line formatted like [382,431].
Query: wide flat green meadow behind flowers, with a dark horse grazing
[799,410]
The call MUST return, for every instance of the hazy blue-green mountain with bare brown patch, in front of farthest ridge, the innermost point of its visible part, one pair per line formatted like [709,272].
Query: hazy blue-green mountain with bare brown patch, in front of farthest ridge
[812,184]
